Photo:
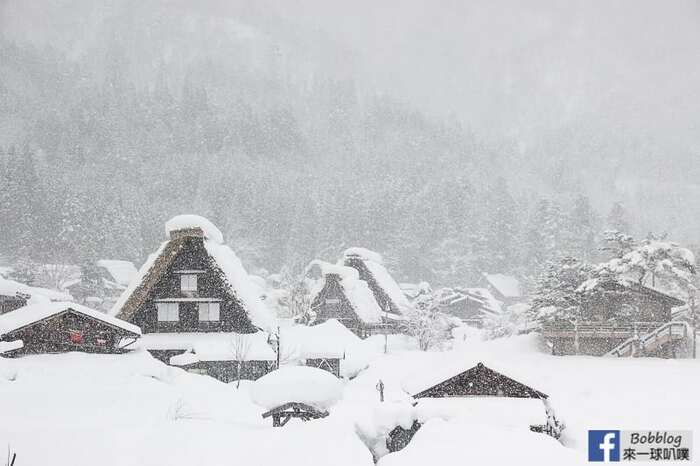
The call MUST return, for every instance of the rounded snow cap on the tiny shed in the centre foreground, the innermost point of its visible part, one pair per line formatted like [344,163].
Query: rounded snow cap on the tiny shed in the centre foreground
[300,384]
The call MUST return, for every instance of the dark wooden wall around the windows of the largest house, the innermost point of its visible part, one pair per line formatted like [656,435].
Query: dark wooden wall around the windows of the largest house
[210,284]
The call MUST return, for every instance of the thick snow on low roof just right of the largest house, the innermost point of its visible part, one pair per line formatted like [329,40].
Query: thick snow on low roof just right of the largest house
[330,339]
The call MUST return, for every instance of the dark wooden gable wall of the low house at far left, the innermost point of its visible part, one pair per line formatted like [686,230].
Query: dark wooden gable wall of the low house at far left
[69,330]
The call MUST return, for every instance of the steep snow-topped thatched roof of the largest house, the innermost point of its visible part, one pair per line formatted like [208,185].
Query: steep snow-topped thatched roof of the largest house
[223,259]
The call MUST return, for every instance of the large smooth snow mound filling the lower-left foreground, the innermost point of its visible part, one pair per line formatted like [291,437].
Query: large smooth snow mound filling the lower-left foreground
[129,409]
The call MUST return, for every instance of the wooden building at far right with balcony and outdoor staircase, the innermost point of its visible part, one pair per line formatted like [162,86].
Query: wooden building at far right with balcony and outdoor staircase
[620,317]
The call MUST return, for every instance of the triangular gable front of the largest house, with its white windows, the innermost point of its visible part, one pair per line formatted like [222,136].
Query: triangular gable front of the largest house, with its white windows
[186,278]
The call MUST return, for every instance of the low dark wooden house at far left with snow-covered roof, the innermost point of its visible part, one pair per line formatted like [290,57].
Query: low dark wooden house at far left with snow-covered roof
[56,327]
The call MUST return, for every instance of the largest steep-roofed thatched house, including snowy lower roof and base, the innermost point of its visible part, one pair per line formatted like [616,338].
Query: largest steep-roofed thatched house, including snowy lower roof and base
[193,299]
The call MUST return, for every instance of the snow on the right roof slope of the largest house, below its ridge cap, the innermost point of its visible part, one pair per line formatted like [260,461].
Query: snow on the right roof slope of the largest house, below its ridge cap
[241,284]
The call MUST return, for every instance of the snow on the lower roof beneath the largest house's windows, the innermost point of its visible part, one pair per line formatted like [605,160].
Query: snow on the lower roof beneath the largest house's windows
[211,346]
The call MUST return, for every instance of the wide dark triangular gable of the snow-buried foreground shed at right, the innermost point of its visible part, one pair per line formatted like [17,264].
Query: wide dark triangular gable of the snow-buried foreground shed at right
[480,381]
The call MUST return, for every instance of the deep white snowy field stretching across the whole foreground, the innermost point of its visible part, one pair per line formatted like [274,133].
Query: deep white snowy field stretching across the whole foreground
[78,409]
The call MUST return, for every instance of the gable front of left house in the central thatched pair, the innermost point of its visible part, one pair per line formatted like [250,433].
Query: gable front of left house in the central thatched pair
[332,303]
